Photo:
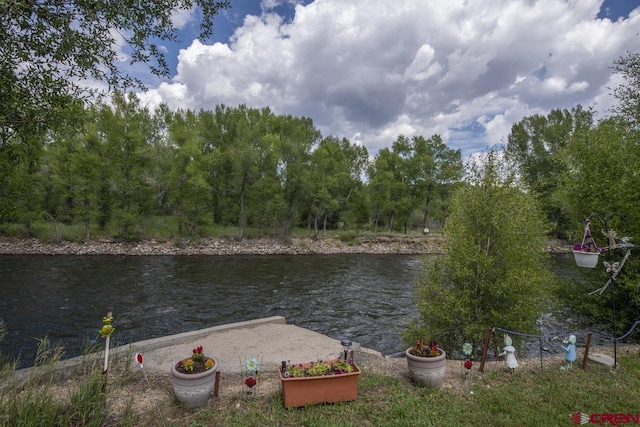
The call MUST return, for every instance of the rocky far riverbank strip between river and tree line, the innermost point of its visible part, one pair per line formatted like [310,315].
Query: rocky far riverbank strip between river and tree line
[222,247]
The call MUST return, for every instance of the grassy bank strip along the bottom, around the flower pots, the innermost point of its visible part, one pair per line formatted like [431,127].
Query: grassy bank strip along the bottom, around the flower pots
[530,397]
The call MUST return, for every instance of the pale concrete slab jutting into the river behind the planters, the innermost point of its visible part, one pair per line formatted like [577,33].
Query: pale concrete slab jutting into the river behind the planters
[270,340]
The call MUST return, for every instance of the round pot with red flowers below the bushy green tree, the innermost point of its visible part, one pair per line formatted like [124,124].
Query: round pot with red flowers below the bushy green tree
[427,363]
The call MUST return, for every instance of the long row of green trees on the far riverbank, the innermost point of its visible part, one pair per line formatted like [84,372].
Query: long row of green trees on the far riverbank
[232,166]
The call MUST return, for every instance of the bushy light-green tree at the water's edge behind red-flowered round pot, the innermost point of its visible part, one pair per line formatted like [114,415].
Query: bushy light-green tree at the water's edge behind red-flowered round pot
[494,269]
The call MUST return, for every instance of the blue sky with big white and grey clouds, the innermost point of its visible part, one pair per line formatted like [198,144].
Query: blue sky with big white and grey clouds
[372,70]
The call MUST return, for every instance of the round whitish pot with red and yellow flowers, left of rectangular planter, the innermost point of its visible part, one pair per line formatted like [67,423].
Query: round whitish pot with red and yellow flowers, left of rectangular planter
[194,378]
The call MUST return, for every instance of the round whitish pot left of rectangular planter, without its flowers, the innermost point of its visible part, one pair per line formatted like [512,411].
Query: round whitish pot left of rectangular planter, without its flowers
[193,390]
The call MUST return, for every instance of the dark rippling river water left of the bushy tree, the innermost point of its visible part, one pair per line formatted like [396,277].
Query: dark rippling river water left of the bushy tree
[363,297]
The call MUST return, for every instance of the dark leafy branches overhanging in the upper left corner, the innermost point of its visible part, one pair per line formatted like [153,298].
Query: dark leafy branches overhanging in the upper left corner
[49,47]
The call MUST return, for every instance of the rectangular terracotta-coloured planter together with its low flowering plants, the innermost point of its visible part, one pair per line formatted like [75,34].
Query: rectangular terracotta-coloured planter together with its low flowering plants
[326,381]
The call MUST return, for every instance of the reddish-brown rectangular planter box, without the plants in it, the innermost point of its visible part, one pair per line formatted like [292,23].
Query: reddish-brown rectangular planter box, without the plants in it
[304,391]
